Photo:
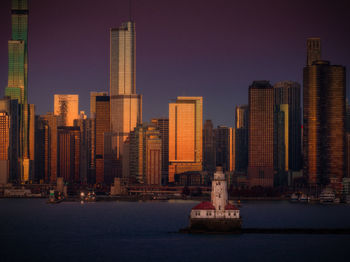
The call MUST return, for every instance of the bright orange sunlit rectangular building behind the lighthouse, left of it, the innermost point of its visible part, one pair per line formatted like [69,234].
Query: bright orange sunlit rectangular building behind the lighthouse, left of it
[185,135]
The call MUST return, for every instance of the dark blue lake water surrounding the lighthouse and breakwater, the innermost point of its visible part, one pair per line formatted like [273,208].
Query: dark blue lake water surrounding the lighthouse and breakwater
[31,230]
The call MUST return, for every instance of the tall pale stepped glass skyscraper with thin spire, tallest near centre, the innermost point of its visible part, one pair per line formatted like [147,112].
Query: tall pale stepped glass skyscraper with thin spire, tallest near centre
[126,105]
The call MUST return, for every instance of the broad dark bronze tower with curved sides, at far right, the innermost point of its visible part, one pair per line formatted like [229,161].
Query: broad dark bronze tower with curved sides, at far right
[324,122]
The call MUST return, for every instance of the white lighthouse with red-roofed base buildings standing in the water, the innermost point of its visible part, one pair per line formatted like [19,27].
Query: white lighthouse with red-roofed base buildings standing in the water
[218,215]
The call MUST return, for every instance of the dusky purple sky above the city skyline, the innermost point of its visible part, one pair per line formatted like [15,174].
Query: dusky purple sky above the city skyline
[213,49]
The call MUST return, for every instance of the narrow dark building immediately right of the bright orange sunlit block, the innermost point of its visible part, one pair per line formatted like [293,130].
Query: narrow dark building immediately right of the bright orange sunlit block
[209,154]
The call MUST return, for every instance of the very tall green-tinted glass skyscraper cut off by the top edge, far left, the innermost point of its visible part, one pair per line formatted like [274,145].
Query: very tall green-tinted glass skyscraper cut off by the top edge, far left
[18,79]
